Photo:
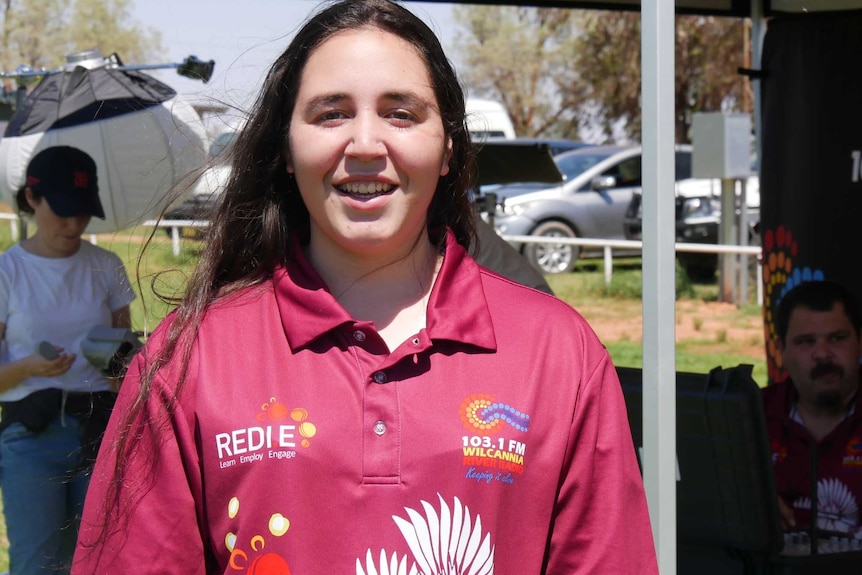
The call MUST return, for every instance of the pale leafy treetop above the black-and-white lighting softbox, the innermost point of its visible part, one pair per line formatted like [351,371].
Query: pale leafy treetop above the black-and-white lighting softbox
[40,33]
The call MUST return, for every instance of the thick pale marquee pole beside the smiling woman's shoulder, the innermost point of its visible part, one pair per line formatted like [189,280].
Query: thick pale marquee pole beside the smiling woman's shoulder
[659,285]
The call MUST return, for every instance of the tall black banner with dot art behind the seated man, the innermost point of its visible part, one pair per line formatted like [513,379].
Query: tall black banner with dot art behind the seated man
[811,172]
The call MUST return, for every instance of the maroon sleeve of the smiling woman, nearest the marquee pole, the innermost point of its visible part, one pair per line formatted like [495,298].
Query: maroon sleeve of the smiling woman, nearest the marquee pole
[601,522]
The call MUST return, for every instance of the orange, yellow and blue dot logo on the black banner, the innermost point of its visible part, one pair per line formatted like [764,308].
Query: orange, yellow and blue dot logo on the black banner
[780,275]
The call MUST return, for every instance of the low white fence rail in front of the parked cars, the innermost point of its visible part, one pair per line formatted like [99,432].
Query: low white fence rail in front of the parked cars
[608,246]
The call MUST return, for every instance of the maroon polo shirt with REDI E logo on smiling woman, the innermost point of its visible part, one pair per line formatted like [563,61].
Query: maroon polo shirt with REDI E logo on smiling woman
[494,439]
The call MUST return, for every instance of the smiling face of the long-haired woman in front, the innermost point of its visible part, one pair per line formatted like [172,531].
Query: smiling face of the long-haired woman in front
[366,144]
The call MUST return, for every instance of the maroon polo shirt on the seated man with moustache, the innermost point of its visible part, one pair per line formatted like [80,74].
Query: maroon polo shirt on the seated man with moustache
[838,457]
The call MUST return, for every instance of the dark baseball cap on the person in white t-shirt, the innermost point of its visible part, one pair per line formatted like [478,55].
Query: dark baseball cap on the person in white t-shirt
[66,178]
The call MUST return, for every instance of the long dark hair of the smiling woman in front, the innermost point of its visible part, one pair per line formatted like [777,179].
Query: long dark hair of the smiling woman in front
[261,205]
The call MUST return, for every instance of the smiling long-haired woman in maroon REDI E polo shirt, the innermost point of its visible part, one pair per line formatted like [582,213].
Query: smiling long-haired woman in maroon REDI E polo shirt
[343,389]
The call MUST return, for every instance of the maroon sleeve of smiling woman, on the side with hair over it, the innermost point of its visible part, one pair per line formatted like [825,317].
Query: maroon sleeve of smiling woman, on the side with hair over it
[153,526]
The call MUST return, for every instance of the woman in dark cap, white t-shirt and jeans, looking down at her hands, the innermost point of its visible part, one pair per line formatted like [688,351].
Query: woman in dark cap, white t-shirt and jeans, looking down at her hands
[54,288]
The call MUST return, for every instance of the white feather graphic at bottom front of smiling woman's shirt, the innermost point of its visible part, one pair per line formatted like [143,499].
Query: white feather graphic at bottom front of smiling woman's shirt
[448,543]
